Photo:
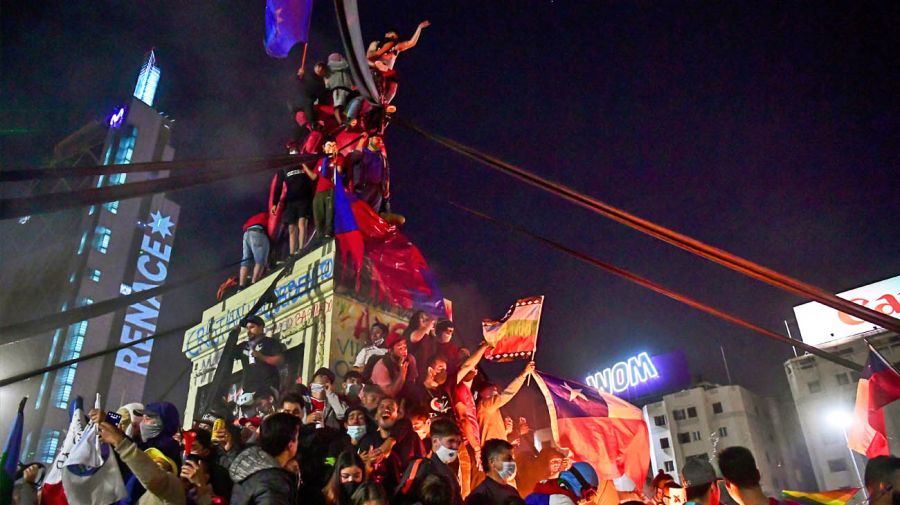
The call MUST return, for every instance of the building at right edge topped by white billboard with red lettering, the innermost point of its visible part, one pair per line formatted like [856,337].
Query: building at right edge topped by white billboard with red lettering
[825,392]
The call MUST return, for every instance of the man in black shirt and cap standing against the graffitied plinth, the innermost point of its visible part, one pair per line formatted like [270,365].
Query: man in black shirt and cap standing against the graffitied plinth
[260,360]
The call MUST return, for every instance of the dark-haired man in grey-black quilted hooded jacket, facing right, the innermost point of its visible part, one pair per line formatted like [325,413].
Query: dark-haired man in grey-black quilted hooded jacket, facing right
[259,472]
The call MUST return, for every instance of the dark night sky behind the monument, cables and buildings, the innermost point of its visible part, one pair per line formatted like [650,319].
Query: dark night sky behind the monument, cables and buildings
[768,129]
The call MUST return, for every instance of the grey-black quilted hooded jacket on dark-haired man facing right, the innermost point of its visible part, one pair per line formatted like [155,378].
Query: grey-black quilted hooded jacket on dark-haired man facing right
[260,480]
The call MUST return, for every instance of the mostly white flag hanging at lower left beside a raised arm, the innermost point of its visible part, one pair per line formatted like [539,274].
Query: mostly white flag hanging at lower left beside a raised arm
[87,484]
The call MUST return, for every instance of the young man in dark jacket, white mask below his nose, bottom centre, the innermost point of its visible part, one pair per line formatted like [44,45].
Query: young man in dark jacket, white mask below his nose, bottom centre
[446,439]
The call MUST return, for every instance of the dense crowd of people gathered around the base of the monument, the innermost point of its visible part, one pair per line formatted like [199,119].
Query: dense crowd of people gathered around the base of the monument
[408,424]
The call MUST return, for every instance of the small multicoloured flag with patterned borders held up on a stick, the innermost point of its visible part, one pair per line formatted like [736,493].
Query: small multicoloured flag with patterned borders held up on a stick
[515,335]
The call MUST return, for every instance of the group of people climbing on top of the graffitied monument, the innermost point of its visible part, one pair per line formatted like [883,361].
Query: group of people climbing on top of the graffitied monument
[327,105]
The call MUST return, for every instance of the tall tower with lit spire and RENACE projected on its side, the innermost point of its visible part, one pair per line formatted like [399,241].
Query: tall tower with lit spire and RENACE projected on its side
[110,249]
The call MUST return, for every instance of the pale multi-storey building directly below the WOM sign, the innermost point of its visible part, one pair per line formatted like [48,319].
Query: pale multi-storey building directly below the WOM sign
[702,421]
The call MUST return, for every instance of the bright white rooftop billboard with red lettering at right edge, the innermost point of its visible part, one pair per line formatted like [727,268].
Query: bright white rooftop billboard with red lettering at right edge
[821,325]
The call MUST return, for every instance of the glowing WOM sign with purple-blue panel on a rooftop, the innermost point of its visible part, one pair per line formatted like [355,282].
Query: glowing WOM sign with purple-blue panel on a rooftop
[643,375]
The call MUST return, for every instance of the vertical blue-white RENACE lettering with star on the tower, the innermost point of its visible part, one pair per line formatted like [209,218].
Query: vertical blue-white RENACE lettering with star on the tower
[151,270]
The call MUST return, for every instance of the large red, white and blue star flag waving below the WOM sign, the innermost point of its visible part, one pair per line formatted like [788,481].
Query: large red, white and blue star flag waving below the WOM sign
[599,428]
